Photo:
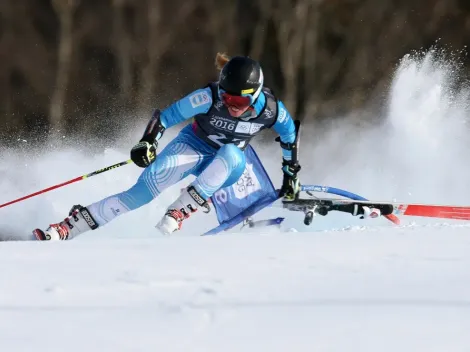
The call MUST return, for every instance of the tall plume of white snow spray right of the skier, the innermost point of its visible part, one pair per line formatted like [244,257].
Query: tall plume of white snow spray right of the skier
[417,150]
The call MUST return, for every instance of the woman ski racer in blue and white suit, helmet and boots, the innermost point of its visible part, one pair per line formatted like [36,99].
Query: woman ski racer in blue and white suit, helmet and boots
[227,114]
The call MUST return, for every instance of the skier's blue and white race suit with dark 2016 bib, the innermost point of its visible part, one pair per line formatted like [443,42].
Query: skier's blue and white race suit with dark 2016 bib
[211,148]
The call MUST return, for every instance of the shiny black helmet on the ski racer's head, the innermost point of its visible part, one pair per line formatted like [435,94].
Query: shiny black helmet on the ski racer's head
[242,76]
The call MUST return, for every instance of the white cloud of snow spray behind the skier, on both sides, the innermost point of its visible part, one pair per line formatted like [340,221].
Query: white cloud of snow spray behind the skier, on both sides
[416,151]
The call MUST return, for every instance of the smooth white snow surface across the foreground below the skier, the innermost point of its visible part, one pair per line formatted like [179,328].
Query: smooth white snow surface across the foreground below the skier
[364,289]
